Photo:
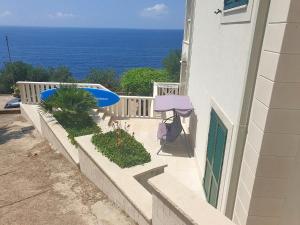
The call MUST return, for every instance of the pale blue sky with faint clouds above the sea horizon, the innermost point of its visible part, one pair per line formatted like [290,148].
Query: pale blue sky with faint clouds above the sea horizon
[145,14]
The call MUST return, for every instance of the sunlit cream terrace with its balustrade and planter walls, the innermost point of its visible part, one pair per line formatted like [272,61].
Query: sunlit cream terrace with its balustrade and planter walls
[137,189]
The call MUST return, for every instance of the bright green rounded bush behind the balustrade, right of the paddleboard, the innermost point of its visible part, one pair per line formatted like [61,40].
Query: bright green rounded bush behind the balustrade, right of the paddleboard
[140,81]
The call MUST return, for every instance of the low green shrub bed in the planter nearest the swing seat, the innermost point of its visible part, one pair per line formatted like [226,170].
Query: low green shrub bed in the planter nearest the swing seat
[121,148]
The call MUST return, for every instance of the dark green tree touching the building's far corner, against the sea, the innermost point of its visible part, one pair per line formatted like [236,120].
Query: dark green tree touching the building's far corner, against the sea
[172,64]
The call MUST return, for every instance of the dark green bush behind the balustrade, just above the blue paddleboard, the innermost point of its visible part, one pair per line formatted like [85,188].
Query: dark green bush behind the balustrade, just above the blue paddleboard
[108,78]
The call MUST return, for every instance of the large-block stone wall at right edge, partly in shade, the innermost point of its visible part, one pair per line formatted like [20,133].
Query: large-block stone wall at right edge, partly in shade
[268,191]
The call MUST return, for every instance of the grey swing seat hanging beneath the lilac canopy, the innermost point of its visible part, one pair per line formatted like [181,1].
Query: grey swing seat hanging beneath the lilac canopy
[169,132]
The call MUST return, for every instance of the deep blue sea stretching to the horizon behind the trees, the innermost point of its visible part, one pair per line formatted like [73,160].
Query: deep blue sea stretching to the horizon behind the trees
[81,49]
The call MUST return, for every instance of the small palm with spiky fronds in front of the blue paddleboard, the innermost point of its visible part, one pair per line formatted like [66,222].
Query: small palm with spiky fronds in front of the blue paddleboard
[70,99]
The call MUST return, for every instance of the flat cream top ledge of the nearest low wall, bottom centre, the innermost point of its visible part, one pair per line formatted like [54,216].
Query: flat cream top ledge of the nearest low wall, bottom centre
[183,203]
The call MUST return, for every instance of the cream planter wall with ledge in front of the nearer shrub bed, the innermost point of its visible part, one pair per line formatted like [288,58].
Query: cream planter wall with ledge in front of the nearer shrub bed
[119,185]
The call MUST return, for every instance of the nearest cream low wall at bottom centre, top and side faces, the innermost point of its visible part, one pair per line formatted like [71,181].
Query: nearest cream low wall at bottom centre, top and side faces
[174,204]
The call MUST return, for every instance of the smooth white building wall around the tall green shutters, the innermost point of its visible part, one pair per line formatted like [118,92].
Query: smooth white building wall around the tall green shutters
[218,70]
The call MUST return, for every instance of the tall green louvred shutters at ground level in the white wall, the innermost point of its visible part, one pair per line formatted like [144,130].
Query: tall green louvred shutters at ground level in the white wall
[214,159]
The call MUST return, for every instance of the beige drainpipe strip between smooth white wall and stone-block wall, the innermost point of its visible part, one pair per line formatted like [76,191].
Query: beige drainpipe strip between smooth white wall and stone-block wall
[254,59]
